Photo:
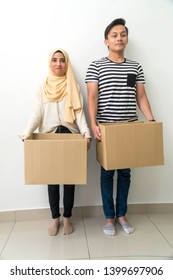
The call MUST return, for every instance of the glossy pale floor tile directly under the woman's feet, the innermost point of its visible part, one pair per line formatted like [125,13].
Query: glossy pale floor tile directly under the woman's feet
[29,240]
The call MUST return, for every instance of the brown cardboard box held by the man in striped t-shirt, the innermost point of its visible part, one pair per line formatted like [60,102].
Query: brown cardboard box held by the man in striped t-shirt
[129,145]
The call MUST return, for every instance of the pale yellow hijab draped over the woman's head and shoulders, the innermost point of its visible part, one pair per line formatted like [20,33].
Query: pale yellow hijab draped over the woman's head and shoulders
[55,88]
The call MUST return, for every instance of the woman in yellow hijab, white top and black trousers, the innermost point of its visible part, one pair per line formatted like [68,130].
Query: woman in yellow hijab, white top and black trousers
[58,108]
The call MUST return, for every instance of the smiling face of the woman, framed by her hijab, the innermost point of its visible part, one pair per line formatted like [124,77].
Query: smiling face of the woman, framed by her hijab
[58,64]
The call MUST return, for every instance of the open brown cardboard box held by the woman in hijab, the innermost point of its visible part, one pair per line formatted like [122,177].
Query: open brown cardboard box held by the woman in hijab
[55,159]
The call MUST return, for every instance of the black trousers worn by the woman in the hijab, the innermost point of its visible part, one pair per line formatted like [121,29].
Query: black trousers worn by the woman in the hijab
[68,192]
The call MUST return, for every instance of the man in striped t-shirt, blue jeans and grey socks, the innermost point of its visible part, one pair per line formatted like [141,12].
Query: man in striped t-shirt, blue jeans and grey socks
[115,87]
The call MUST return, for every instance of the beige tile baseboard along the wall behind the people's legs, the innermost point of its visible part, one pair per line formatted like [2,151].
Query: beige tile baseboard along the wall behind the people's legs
[84,211]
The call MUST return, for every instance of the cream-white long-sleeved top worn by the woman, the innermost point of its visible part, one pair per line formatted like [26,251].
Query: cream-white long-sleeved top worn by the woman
[46,117]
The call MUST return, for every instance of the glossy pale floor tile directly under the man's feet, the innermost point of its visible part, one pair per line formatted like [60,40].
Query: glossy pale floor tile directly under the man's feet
[145,242]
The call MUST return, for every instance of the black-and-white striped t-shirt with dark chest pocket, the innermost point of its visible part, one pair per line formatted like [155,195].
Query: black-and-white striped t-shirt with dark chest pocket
[117,89]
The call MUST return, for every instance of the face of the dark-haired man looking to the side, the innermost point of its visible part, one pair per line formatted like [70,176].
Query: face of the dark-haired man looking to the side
[117,39]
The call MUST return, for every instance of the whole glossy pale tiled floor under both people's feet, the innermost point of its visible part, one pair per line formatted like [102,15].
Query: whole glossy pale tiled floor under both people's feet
[152,239]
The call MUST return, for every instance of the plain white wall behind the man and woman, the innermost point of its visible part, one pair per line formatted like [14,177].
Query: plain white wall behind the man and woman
[29,31]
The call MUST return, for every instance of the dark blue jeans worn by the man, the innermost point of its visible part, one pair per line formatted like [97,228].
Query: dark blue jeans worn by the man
[107,188]
